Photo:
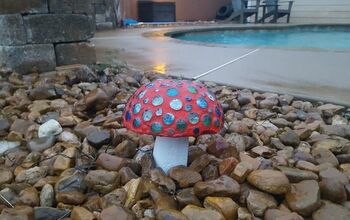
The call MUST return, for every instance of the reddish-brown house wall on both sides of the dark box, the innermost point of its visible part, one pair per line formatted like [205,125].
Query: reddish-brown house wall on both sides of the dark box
[186,10]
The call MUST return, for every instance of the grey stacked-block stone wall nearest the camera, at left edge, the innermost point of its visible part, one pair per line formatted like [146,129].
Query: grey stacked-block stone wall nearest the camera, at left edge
[38,35]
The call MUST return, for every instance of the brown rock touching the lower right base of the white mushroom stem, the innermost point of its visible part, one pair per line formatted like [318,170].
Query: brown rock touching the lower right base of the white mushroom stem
[184,176]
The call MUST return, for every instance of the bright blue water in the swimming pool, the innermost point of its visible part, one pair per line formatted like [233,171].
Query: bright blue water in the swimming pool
[305,37]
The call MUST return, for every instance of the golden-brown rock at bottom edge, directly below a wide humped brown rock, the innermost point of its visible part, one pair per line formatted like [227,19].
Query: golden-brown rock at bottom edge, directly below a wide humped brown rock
[225,205]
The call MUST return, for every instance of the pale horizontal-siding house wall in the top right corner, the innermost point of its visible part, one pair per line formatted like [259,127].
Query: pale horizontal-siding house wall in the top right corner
[321,11]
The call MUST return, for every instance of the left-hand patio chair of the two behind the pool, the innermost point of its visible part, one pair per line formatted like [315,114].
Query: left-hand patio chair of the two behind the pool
[241,10]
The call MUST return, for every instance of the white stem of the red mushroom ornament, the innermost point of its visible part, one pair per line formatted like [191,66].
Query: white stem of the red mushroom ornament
[170,152]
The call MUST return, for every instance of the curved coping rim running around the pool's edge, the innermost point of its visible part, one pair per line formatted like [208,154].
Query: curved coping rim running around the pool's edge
[171,33]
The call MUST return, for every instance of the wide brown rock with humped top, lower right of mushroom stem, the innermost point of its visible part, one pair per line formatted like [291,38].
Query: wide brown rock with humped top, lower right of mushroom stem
[223,186]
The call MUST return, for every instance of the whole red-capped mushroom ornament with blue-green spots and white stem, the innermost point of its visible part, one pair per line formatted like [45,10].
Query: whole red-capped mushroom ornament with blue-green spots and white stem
[173,110]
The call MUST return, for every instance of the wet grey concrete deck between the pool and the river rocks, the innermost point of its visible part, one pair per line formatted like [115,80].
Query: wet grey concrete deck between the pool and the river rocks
[312,74]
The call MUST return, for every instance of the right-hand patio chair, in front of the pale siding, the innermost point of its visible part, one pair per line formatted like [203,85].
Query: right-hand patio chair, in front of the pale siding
[272,8]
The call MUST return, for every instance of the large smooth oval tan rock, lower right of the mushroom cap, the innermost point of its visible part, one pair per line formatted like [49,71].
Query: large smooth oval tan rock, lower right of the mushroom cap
[271,181]
